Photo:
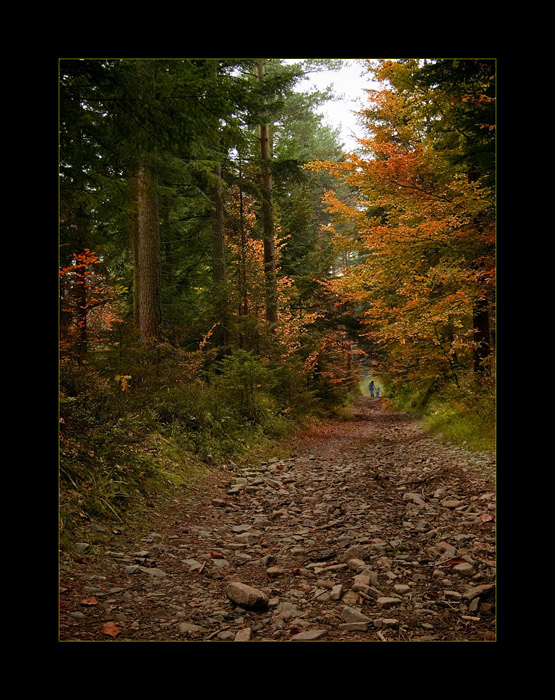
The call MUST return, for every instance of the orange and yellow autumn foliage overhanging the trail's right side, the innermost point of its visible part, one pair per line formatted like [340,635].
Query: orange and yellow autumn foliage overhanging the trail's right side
[419,237]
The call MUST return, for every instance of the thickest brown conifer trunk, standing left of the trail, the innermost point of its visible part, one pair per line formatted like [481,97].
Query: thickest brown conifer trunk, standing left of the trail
[145,246]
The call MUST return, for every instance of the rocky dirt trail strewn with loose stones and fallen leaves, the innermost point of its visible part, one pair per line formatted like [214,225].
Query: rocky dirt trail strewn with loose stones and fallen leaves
[370,530]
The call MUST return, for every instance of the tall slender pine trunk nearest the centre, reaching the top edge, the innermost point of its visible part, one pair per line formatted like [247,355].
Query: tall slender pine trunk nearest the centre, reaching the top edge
[268,217]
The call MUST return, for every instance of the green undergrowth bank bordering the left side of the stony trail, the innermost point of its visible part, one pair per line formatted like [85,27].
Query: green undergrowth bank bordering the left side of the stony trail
[121,441]
